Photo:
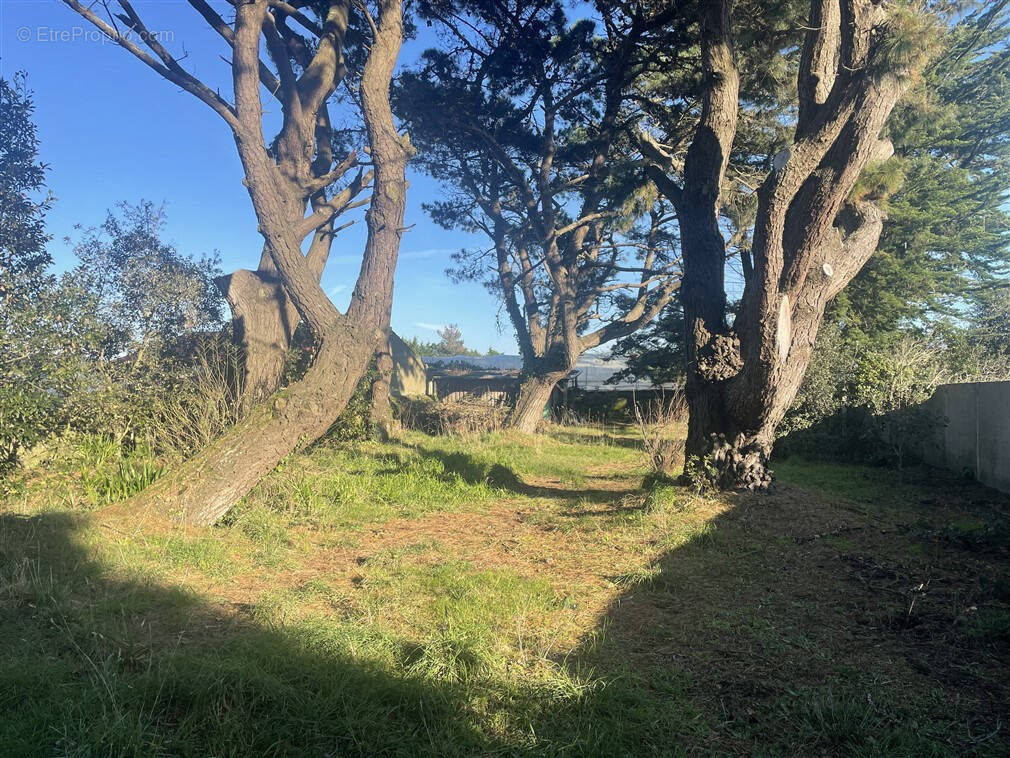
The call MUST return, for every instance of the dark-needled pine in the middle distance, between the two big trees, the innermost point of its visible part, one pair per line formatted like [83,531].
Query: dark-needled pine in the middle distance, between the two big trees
[526,121]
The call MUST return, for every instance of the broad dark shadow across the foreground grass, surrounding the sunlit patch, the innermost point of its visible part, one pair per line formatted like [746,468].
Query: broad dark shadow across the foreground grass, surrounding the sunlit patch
[794,624]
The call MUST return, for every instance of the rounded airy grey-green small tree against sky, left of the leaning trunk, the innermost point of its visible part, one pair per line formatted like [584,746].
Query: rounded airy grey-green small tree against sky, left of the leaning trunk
[147,314]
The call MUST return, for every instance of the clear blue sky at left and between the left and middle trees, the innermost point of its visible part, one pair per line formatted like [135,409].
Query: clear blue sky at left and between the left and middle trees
[114,131]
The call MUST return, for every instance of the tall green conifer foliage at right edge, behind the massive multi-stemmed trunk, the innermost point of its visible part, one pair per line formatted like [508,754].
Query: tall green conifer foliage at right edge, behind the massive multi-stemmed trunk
[946,242]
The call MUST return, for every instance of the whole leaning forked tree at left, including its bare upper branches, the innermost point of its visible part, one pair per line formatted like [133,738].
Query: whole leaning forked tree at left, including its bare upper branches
[293,185]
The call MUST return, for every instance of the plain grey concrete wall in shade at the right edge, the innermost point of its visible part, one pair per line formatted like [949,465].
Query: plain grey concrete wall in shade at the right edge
[976,439]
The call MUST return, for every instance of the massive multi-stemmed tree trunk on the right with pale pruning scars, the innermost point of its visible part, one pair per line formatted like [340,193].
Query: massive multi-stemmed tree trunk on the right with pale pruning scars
[811,235]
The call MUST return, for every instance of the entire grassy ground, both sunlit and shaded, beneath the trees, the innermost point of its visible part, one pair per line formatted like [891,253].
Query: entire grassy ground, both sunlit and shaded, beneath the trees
[509,596]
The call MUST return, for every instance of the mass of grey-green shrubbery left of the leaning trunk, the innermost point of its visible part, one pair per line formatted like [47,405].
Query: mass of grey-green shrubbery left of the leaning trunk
[128,346]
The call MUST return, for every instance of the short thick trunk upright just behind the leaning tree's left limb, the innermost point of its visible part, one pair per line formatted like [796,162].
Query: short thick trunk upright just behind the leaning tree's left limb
[265,323]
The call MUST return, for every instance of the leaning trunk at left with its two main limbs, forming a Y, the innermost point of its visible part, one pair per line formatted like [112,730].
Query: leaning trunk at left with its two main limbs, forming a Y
[207,487]
